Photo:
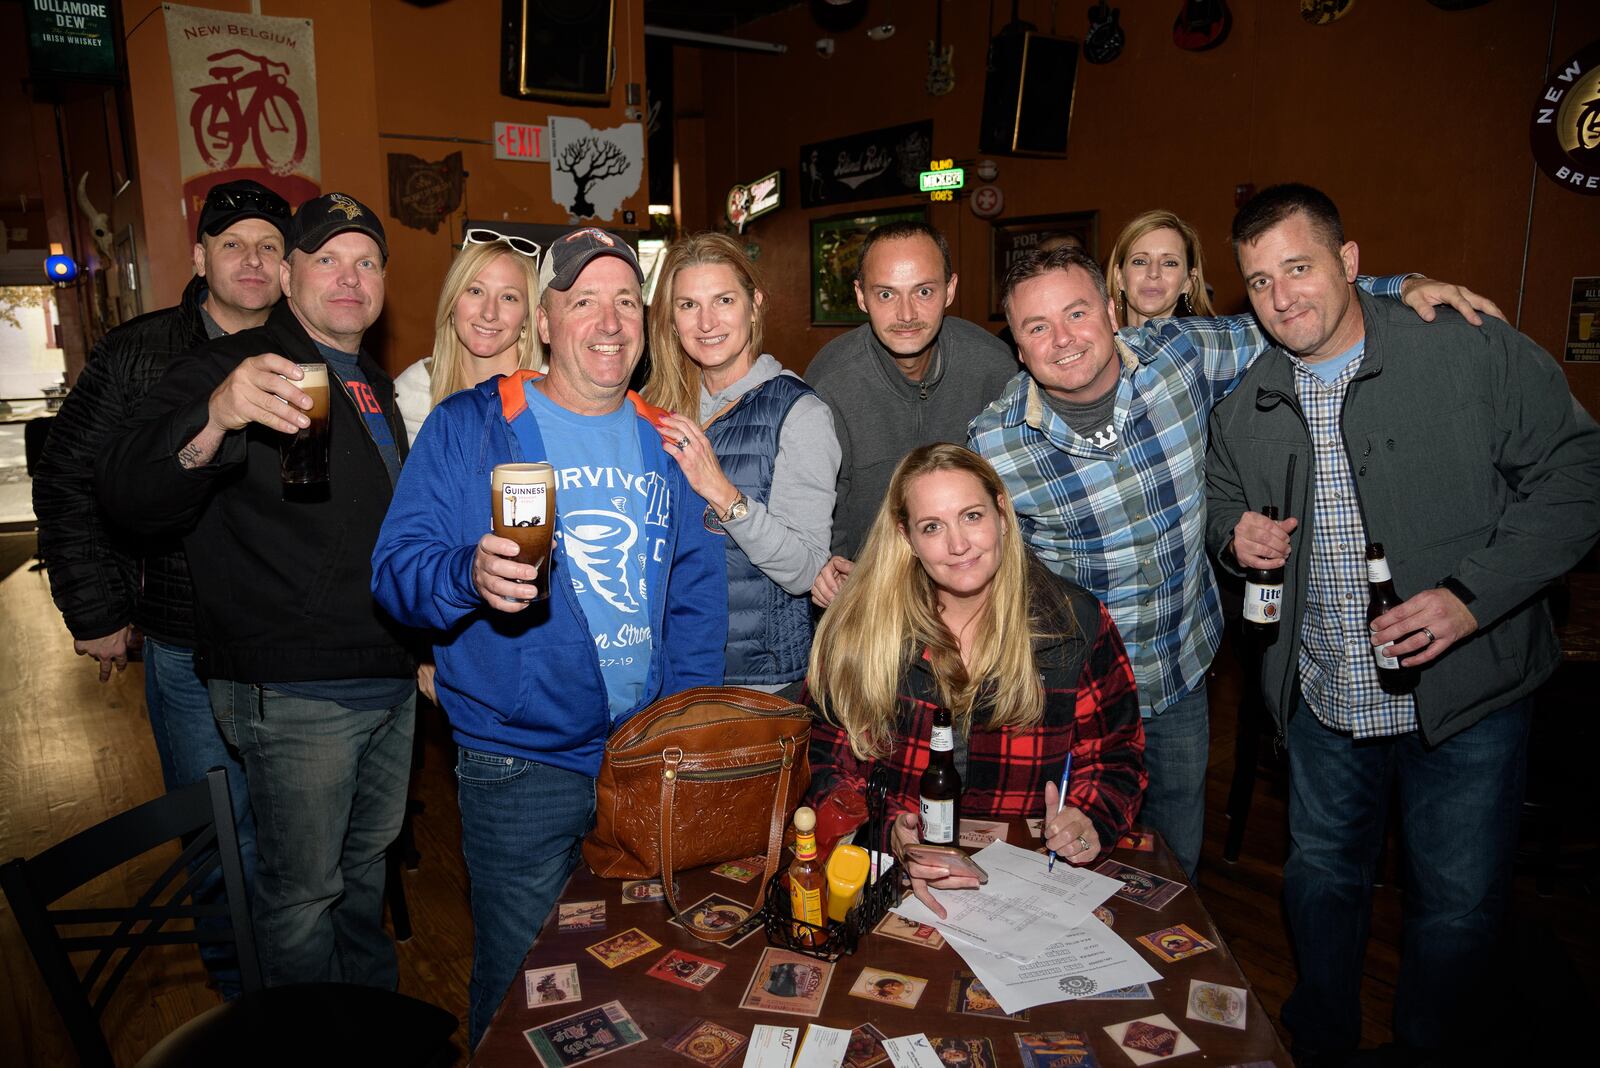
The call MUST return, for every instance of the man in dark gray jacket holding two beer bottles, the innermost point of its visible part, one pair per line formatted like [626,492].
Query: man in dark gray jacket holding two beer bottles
[1462,450]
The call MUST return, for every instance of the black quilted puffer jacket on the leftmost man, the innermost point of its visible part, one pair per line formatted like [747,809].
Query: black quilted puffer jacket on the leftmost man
[102,580]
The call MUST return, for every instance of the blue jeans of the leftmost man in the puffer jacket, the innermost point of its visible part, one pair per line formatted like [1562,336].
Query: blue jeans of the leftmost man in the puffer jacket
[190,744]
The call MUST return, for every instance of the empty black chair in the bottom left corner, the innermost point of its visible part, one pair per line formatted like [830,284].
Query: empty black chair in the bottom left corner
[300,1026]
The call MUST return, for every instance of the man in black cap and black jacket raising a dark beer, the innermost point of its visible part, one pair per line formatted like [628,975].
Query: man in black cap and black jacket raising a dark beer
[308,680]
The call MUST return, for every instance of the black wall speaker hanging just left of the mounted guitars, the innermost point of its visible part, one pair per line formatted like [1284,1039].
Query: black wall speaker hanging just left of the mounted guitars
[1028,94]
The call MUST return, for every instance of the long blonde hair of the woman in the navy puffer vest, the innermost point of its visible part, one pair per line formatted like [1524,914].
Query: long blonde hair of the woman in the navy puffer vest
[674,380]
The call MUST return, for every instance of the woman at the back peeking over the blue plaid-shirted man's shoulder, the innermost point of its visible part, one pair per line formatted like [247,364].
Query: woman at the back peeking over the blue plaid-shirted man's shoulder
[1158,271]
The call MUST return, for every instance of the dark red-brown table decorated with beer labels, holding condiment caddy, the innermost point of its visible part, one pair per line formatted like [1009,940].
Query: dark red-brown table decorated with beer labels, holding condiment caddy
[663,1010]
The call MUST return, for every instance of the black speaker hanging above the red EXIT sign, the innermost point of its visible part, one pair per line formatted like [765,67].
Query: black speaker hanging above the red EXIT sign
[558,50]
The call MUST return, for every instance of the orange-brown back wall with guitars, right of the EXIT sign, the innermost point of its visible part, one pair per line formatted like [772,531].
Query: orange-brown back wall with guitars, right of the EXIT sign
[1414,119]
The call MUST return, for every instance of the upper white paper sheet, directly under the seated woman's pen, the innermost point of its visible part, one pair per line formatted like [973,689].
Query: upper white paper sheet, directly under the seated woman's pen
[1022,911]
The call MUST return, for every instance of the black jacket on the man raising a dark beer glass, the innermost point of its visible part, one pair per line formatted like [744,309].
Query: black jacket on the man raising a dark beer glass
[282,591]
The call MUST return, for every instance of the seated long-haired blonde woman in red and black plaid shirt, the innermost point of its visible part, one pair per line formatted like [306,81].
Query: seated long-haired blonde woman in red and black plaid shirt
[948,610]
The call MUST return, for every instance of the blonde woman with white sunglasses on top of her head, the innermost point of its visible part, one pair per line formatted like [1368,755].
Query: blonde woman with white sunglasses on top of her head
[484,325]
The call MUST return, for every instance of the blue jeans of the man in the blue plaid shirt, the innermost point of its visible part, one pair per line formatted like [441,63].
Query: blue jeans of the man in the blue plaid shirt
[1177,746]
